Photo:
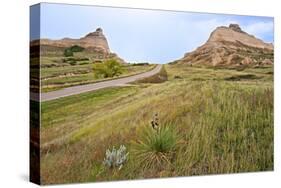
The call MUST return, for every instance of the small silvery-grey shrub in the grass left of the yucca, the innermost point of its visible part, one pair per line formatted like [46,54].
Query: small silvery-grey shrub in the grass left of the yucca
[115,158]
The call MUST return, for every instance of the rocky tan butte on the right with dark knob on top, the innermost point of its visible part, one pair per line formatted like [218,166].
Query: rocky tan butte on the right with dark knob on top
[231,46]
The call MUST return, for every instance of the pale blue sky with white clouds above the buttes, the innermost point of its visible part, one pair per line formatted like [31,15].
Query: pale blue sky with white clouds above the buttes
[139,35]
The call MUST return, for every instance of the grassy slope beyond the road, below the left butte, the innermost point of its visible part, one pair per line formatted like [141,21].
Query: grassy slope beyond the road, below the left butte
[59,71]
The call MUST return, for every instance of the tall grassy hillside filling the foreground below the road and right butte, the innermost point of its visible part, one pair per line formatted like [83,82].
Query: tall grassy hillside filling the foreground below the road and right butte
[211,121]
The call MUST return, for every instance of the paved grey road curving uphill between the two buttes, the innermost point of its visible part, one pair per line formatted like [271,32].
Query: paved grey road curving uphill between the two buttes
[95,86]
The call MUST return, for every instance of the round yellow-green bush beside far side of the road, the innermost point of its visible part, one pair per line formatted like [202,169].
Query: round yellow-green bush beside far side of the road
[108,68]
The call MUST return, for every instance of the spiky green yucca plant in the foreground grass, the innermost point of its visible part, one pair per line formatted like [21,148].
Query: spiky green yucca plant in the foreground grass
[156,147]
